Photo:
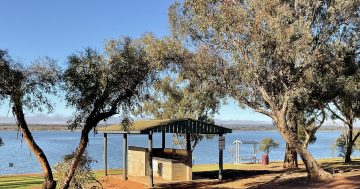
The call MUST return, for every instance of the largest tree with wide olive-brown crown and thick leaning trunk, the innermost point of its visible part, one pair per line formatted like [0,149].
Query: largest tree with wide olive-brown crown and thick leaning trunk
[274,50]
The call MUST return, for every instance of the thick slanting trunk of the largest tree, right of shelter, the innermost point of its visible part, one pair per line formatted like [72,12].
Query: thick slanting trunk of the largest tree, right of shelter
[315,172]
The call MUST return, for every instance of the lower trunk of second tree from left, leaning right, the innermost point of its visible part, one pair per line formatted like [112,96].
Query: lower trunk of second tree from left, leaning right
[79,152]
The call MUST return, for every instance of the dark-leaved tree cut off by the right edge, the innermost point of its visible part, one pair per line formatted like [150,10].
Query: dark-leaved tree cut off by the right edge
[346,106]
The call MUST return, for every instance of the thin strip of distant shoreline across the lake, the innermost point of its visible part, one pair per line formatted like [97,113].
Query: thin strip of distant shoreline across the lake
[63,127]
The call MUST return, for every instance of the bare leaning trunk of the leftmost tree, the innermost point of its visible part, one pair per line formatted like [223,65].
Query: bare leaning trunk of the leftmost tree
[49,182]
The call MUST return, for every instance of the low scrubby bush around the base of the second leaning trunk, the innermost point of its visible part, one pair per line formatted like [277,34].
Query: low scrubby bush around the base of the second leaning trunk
[83,175]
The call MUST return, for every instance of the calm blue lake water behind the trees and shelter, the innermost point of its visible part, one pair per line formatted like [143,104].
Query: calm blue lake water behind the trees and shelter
[57,143]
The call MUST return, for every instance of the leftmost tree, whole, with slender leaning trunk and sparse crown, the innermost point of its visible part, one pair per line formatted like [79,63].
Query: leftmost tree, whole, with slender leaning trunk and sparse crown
[28,88]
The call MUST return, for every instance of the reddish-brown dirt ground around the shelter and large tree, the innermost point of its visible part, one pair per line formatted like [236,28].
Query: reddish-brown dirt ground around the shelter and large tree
[345,177]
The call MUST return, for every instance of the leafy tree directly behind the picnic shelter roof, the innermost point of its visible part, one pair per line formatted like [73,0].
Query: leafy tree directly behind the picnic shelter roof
[183,90]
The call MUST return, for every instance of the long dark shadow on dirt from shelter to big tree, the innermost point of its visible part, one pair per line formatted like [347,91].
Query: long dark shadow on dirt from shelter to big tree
[211,178]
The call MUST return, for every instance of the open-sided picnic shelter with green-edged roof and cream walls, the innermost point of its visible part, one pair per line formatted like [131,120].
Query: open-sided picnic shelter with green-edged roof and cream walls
[166,163]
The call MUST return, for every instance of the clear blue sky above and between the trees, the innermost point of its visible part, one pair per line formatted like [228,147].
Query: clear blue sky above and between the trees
[38,28]
